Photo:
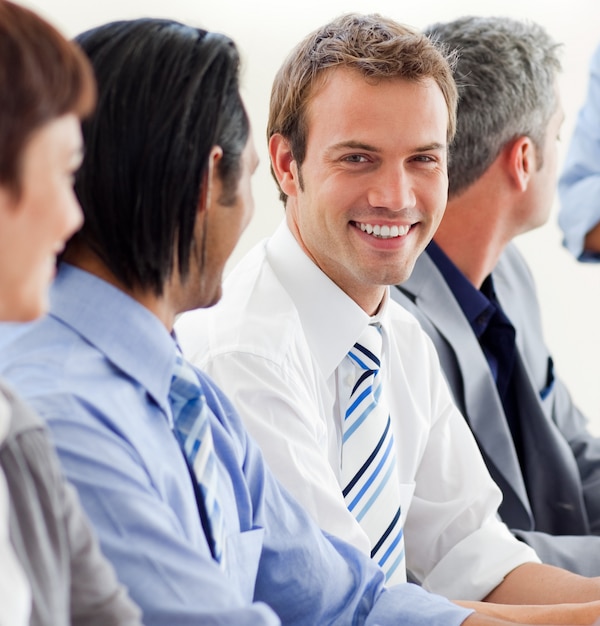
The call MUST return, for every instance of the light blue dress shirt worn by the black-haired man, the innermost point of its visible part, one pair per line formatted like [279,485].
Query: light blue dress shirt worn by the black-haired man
[98,369]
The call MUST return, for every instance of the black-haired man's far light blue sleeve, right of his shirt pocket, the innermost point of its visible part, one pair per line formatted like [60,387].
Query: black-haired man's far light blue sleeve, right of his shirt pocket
[307,576]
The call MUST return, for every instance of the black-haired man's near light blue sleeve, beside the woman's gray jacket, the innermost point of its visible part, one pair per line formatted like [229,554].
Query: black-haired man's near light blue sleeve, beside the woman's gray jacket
[172,578]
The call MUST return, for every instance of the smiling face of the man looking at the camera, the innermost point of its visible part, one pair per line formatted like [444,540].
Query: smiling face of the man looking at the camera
[373,186]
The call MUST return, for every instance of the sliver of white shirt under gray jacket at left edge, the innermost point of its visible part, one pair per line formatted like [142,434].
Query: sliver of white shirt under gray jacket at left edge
[15,594]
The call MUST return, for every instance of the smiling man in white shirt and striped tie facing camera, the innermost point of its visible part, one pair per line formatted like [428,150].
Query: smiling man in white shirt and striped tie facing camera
[361,115]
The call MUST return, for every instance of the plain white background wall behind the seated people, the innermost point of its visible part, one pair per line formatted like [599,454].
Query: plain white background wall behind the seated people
[265,31]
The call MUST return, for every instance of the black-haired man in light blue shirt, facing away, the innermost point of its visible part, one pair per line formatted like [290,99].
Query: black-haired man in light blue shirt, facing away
[165,189]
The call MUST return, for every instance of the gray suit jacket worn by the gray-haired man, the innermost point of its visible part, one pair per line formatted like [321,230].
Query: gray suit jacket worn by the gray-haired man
[554,504]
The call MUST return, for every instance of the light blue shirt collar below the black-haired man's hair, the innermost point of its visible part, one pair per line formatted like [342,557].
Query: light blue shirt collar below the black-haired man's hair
[127,333]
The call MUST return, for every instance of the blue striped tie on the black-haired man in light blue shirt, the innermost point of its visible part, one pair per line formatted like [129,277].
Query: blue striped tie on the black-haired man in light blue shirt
[192,429]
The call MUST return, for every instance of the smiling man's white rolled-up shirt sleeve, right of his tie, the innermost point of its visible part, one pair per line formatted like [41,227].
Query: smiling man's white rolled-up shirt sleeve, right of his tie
[452,525]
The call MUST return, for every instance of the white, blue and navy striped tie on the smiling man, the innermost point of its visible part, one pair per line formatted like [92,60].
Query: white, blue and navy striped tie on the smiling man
[369,473]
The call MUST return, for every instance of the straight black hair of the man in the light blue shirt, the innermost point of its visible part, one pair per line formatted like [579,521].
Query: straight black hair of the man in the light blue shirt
[167,93]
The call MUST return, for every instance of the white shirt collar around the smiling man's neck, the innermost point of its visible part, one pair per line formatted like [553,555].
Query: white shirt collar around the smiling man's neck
[331,331]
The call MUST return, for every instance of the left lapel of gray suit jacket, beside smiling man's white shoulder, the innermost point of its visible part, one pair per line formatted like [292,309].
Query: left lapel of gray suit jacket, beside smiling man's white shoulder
[434,299]
